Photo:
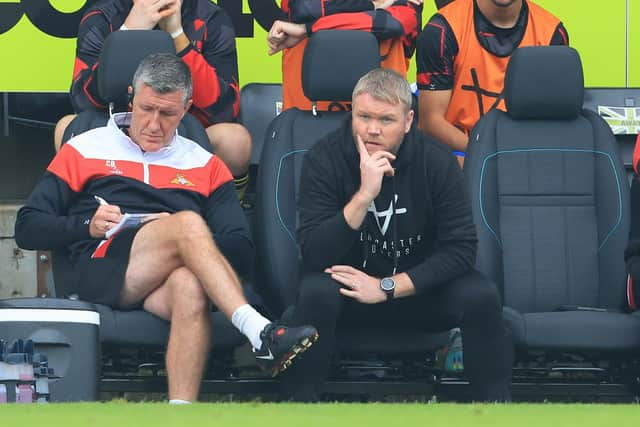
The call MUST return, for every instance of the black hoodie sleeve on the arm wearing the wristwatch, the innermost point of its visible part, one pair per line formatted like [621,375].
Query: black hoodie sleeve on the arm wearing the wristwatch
[455,231]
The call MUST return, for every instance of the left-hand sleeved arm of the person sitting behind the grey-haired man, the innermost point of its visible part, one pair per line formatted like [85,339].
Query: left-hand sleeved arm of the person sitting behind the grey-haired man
[93,30]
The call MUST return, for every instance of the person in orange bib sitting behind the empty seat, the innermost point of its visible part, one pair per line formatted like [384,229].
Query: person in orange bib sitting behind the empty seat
[462,55]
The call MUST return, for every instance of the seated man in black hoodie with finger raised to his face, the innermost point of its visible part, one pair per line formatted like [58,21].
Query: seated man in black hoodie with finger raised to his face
[387,239]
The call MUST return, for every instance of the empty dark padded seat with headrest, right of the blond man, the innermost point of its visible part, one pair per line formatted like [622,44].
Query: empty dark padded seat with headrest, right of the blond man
[551,206]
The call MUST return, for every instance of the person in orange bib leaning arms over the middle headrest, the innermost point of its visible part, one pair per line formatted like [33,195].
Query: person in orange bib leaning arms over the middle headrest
[395,23]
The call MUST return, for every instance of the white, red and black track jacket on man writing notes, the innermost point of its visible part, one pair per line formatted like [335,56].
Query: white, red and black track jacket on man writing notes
[107,163]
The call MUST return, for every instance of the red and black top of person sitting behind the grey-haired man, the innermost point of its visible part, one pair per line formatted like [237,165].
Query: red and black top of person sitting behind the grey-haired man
[211,57]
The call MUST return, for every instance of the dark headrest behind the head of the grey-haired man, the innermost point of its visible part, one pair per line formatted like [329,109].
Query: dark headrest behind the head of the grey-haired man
[120,56]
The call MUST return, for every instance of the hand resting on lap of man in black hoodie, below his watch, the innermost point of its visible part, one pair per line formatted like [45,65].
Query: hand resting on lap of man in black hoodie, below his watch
[358,285]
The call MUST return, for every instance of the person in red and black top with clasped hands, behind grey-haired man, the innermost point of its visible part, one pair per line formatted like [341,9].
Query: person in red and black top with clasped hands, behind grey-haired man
[204,38]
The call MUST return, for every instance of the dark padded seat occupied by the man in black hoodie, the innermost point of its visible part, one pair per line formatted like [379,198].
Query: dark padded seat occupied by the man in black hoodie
[333,63]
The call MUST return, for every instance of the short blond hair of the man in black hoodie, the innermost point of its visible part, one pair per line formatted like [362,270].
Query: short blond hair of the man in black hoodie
[384,85]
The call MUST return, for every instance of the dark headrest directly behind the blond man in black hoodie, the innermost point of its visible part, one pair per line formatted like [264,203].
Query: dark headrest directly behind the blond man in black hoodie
[334,61]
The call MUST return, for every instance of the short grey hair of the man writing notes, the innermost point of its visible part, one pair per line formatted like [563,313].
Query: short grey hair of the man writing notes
[164,73]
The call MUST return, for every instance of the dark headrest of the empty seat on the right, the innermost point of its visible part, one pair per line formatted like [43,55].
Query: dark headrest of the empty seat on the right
[544,82]
